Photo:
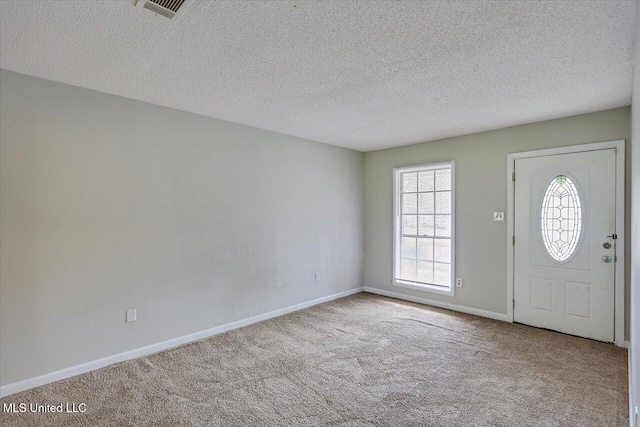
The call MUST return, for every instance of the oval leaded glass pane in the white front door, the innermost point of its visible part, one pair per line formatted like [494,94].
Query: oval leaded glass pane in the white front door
[561,218]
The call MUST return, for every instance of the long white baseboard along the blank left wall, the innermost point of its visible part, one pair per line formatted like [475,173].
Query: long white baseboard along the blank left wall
[19,386]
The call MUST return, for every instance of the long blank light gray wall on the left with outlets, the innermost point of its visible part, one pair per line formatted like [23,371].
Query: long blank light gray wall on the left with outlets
[109,204]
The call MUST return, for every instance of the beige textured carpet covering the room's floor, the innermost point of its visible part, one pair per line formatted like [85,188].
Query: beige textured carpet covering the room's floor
[362,360]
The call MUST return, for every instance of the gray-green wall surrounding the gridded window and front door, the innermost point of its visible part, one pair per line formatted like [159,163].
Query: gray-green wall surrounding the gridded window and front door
[481,189]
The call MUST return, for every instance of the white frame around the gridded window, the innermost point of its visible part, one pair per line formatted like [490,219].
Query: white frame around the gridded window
[397,209]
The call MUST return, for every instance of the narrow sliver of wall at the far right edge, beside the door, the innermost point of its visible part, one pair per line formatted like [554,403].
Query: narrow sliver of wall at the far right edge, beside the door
[634,339]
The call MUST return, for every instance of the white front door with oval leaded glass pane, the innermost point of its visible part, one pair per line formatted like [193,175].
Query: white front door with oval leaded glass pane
[564,253]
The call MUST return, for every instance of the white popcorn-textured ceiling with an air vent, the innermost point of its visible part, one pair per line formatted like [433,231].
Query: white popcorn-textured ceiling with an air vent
[359,74]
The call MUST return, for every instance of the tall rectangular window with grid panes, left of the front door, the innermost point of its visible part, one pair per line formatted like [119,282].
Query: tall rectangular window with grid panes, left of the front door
[423,228]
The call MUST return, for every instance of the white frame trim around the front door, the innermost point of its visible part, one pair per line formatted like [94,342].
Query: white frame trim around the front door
[618,145]
